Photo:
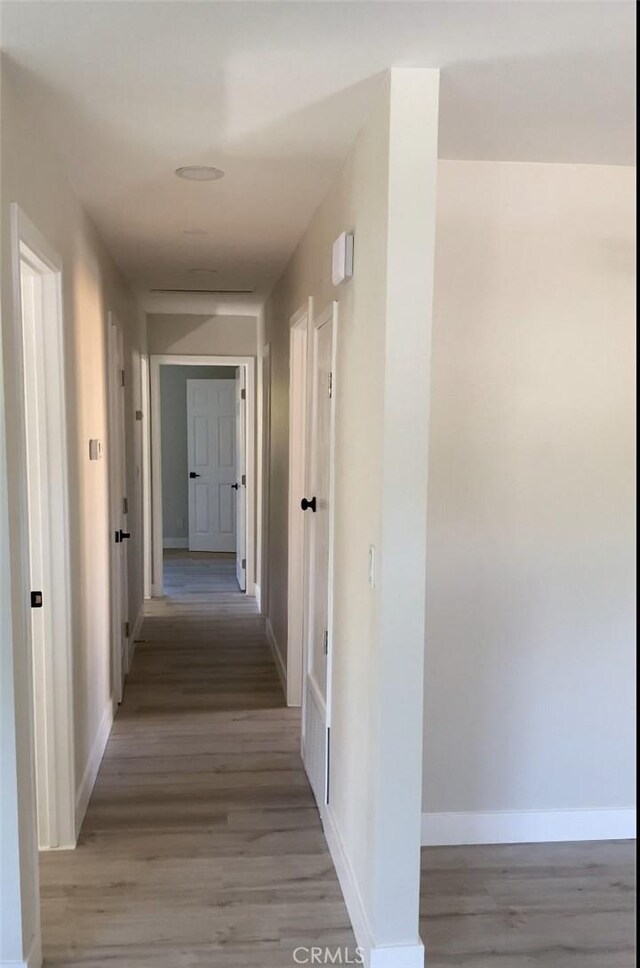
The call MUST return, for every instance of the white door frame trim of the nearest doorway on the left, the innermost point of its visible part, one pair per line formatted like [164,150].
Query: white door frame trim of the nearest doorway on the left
[51,669]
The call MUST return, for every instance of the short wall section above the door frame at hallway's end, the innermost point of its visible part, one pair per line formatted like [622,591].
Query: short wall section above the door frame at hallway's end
[200,335]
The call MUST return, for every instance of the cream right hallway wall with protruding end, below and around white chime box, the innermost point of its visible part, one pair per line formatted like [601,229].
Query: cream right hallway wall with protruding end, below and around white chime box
[386,195]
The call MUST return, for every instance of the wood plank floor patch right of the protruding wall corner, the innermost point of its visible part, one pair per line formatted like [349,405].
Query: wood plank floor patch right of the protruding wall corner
[529,906]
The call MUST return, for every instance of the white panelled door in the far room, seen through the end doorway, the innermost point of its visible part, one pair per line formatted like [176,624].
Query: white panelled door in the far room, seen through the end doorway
[211,449]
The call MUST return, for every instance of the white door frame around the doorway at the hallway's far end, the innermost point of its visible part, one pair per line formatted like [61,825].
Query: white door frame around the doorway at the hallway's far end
[155,362]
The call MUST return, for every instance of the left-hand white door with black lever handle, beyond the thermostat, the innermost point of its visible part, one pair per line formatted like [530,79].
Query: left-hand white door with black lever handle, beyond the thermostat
[116,455]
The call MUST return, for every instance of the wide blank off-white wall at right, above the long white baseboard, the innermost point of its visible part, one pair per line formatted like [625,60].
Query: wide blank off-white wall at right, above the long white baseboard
[530,636]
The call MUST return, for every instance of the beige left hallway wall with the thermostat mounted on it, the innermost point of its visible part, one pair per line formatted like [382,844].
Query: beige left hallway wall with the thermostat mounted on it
[92,286]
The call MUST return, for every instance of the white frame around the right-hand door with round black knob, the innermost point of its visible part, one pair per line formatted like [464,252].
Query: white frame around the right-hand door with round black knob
[330,314]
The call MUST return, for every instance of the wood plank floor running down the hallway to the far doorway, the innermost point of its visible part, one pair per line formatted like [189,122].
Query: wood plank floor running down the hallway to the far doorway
[201,845]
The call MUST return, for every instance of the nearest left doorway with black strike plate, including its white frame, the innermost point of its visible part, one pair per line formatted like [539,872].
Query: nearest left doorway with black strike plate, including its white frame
[46,592]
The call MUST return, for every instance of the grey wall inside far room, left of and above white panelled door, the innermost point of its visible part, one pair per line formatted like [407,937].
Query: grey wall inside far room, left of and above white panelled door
[175,469]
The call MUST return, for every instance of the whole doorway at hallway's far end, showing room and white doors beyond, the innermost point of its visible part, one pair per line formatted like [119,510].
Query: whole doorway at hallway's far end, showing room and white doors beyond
[202,466]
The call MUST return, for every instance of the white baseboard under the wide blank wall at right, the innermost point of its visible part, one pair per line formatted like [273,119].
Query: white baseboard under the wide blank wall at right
[526,827]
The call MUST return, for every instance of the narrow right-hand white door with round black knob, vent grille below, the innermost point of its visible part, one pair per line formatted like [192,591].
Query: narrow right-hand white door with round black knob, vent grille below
[317,509]
